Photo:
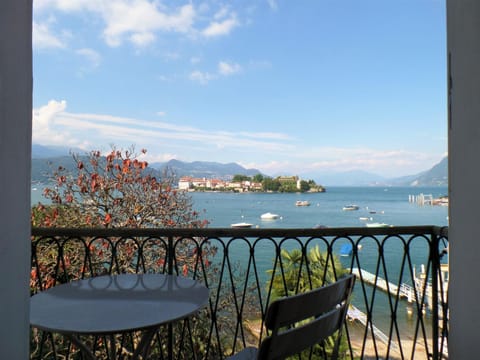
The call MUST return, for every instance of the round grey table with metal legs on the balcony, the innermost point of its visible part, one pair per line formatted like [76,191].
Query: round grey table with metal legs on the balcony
[114,304]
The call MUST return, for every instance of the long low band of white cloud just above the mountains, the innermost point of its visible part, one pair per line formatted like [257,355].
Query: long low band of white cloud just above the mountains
[271,152]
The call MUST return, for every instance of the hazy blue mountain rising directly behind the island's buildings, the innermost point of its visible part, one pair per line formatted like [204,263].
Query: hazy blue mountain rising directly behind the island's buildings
[205,169]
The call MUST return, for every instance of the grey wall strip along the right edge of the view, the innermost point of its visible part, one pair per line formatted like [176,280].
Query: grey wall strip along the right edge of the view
[463,29]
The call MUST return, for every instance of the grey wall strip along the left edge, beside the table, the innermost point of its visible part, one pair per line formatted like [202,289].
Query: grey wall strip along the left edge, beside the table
[15,140]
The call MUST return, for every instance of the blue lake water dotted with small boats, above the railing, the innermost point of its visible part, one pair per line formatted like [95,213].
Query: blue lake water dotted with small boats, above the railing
[390,204]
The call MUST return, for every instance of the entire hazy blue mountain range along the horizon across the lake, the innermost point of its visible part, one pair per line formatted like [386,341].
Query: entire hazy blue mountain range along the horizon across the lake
[45,159]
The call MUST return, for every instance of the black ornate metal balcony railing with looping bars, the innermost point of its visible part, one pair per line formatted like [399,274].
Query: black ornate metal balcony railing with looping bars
[399,306]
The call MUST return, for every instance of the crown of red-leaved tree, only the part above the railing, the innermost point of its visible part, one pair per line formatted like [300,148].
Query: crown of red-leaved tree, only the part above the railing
[116,190]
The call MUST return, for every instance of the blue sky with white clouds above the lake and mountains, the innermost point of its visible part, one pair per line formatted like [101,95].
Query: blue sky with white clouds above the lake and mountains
[283,86]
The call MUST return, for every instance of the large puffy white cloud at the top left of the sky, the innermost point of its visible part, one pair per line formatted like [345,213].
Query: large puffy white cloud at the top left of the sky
[140,21]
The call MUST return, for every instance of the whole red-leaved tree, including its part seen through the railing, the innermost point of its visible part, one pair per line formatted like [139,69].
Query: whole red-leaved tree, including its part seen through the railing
[115,191]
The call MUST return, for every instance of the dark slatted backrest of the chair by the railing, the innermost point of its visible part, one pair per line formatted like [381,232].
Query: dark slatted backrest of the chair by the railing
[326,307]
